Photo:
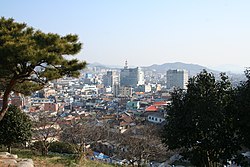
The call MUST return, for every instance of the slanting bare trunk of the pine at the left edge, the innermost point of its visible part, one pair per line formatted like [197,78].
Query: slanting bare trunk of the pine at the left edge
[6,98]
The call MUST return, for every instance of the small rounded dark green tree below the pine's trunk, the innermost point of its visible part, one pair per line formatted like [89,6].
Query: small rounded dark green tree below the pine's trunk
[15,127]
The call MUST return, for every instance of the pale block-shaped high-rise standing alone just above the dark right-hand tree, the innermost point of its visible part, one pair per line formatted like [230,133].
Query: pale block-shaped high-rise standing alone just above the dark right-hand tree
[177,79]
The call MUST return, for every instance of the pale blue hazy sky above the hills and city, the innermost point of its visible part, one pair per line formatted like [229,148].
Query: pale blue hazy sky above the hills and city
[212,33]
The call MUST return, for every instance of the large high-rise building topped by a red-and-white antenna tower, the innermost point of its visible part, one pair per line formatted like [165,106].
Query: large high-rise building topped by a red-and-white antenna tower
[131,76]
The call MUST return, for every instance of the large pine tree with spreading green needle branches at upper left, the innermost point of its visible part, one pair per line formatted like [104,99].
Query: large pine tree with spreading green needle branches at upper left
[30,58]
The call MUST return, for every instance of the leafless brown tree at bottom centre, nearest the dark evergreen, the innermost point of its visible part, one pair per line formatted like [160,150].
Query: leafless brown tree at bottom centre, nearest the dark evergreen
[141,144]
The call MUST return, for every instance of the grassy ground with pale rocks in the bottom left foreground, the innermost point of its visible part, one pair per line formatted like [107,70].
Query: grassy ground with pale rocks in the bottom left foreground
[31,158]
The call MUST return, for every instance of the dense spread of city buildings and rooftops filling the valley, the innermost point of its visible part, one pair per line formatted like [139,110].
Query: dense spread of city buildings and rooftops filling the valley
[117,99]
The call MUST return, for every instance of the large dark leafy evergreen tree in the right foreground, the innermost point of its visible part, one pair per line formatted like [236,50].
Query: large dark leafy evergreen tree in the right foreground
[200,121]
